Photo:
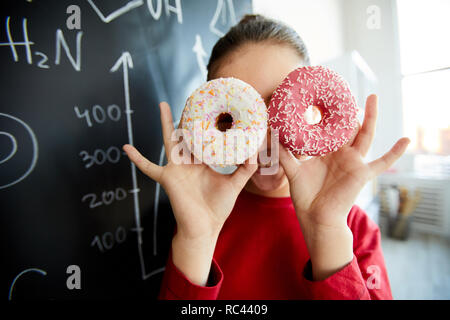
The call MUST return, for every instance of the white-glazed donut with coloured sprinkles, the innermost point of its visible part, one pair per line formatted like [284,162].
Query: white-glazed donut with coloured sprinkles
[224,122]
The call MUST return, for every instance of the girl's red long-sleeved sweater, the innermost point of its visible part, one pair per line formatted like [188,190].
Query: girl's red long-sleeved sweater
[261,254]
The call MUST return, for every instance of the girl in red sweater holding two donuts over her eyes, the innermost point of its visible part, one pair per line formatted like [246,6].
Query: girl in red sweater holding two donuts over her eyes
[292,235]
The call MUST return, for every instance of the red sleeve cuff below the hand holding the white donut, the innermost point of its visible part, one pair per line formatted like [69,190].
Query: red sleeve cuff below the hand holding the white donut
[176,286]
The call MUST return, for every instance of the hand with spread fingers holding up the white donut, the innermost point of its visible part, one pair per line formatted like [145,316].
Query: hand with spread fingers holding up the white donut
[201,198]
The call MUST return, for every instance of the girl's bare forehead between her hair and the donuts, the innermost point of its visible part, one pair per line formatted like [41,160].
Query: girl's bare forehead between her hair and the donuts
[262,65]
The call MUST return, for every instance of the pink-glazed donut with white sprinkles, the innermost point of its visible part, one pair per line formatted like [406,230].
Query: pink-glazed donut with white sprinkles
[293,100]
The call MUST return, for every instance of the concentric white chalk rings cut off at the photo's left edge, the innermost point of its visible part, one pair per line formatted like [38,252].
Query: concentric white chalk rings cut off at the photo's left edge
[14,150]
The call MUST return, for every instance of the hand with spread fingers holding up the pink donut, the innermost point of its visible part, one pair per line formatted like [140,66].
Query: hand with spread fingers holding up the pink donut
[323,189]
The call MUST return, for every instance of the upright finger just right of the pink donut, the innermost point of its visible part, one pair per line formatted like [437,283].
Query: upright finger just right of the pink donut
[366,134]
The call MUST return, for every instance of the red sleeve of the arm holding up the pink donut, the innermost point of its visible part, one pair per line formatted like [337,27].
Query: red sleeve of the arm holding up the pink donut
[365,277]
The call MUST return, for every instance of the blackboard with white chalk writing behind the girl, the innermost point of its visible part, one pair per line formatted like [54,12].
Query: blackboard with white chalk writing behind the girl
[69,99]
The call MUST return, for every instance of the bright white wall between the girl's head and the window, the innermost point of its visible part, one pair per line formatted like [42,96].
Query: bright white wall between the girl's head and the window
[332,27]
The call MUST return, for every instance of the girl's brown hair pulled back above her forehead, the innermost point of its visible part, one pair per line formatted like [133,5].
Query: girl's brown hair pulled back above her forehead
[255,28]
